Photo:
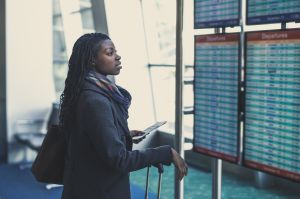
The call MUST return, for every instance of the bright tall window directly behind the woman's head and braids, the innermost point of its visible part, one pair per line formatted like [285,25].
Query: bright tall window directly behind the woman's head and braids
[78,16]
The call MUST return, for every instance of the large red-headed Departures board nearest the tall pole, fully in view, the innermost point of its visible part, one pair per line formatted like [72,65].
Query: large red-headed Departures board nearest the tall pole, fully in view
[216,96]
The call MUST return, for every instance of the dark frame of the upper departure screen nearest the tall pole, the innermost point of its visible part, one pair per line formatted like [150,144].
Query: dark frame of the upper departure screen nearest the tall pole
[237,21]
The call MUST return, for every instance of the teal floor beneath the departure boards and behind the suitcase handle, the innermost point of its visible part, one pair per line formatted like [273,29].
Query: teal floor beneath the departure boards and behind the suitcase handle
[198,186]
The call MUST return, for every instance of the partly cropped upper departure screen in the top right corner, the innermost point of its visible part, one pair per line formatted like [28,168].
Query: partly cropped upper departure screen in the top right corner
[272,11]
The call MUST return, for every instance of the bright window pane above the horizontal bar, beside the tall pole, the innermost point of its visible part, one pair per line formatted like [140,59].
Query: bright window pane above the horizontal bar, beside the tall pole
[160,20]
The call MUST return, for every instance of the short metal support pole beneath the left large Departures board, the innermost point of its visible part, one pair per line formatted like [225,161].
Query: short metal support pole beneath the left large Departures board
[217,178]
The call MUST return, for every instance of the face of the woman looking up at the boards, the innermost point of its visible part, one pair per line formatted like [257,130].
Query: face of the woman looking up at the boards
[107,60]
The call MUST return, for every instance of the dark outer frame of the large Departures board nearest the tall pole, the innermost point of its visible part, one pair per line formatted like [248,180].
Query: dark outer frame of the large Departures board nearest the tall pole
[239,108]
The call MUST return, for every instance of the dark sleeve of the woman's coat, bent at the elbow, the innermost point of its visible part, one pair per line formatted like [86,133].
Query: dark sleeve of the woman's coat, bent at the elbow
[99,125]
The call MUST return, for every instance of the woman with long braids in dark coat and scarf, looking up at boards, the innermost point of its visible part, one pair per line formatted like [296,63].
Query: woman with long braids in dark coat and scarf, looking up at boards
[94,114]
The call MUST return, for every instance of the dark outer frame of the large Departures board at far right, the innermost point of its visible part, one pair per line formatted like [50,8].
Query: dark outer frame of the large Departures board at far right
[245,110]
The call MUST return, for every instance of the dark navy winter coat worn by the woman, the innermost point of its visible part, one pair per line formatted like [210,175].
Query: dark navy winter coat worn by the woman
[100,156]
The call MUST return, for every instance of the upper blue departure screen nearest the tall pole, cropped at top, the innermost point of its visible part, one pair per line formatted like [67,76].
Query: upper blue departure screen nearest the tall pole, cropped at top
[216,13]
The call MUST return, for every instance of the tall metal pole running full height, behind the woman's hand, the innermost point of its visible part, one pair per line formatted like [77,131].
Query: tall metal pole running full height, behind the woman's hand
[179,90]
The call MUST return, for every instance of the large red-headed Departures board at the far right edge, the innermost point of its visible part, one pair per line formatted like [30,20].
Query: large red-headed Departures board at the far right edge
[272,112]
